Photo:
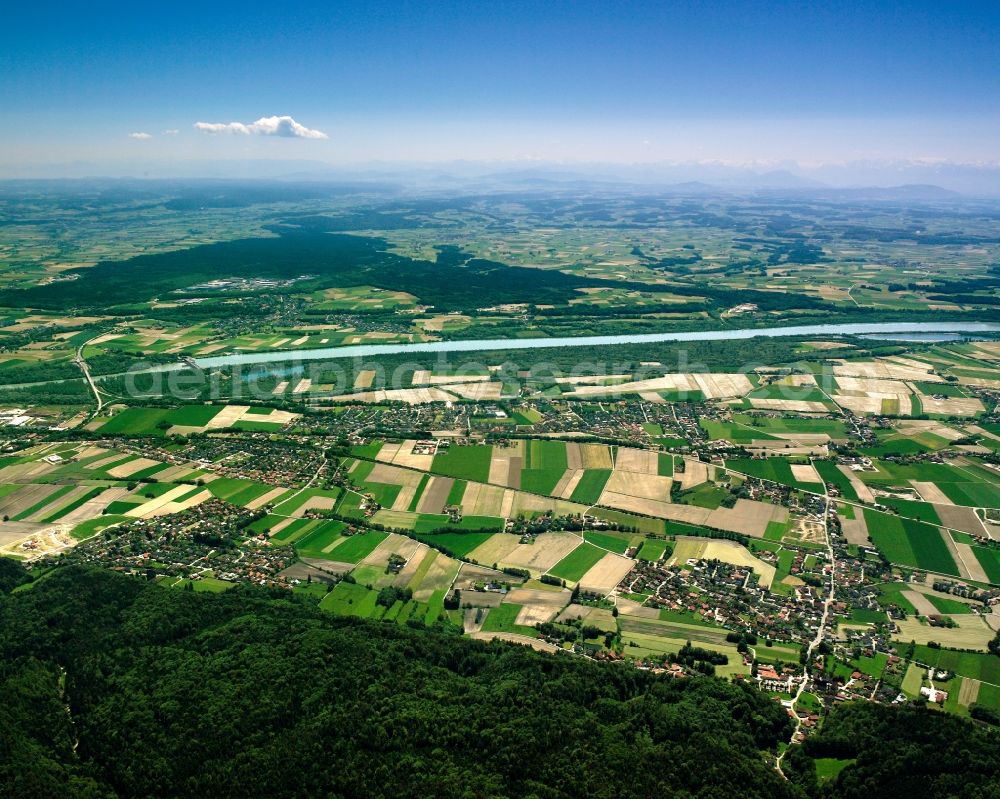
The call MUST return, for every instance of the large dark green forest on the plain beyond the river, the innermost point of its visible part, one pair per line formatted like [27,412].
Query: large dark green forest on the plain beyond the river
[452,282]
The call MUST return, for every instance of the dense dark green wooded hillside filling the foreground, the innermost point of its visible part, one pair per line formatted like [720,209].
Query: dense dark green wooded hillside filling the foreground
[117,687]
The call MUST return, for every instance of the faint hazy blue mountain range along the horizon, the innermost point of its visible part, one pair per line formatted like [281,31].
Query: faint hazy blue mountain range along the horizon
[860,180]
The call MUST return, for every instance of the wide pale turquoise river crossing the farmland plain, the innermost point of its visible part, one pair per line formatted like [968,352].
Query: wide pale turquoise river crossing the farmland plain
[886,330]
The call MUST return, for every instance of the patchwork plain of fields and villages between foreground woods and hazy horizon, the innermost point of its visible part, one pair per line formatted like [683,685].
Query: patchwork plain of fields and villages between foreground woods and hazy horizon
[689,507]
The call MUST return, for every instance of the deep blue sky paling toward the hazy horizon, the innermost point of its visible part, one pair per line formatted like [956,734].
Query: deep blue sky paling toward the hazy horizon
[548,80]
